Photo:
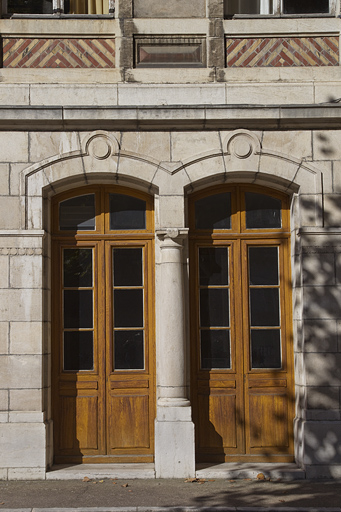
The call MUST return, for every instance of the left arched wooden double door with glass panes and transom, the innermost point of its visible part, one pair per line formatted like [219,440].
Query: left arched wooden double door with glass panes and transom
[102,325]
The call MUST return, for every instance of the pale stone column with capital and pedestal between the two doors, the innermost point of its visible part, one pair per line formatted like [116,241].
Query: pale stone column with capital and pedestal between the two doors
[174,429]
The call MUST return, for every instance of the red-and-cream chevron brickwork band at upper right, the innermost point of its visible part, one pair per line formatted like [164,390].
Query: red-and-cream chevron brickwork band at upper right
[282,52]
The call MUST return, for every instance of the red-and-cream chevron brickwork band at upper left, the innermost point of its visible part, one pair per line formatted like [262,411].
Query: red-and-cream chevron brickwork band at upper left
[58,53]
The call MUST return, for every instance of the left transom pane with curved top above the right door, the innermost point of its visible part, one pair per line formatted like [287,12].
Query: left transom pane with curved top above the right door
[213,212]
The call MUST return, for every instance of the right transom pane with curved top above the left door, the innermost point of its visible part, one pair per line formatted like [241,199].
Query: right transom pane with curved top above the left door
[127,212]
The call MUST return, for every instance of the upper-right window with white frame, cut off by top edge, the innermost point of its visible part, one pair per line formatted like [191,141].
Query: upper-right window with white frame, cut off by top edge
[276,7]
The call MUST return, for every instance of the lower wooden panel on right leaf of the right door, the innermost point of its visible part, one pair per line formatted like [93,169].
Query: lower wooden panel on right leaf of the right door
[268,421]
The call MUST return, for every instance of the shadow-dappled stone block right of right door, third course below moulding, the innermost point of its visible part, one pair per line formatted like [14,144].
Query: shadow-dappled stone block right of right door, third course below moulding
[320,335]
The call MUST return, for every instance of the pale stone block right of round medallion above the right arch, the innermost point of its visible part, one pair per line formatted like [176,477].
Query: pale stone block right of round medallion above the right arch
[292,143]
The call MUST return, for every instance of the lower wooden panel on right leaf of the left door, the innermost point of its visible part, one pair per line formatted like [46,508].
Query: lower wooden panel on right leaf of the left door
[128,421]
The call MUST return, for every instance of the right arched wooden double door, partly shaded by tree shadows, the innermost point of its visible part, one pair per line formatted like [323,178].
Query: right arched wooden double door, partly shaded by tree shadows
[241,333]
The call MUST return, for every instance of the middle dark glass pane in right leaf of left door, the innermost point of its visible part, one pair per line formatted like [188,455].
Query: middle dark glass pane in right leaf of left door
[128,308]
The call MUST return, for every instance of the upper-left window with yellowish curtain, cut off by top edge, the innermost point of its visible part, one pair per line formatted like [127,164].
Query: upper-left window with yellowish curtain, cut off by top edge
[85,7]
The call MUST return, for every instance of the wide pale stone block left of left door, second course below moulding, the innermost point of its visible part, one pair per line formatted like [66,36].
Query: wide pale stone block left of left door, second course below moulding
[20,305]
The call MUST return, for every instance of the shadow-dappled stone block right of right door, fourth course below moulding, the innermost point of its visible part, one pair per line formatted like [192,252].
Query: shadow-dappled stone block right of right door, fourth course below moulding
[323,369]
